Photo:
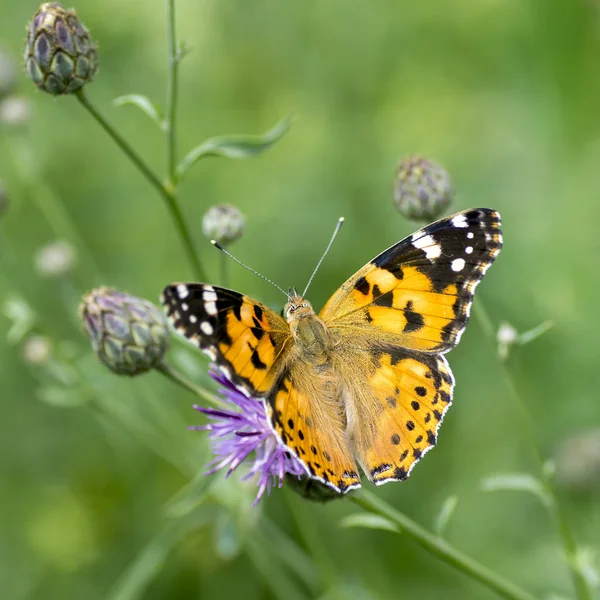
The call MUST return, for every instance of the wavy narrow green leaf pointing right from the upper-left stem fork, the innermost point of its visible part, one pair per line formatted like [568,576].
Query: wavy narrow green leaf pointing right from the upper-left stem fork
[234,146]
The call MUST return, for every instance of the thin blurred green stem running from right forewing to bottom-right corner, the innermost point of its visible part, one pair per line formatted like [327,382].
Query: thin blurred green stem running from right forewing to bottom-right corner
[568,541]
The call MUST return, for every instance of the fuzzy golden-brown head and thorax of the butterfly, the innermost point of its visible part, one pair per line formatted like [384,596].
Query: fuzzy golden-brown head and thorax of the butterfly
[313,340]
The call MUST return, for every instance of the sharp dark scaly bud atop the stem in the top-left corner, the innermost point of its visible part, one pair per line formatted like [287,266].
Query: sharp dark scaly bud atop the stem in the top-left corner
[60,55]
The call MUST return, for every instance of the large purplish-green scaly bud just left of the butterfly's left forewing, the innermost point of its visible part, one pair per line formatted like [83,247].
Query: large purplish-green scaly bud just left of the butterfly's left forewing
[128,334]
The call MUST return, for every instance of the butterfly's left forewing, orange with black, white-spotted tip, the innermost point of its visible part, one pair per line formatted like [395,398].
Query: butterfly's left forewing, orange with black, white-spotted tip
[244,338]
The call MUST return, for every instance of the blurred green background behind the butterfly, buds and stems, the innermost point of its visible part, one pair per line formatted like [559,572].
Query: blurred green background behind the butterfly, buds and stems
[505,94]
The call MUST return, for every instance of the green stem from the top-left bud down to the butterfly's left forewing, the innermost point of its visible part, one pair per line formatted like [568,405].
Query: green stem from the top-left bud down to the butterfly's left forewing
[165,190]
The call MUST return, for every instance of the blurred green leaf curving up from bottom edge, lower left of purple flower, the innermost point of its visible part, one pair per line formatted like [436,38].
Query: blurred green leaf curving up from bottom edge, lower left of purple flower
[137,576]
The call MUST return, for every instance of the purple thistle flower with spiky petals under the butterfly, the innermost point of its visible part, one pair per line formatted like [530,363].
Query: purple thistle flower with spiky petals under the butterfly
[245,429]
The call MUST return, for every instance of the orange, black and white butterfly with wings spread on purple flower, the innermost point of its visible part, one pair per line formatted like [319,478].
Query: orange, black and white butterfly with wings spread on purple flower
[363,384]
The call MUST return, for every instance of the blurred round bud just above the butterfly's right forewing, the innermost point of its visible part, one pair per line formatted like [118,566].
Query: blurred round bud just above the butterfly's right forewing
[422,191]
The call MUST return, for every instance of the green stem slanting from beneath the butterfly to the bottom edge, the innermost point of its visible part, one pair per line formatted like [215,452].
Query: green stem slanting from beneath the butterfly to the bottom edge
[442,549]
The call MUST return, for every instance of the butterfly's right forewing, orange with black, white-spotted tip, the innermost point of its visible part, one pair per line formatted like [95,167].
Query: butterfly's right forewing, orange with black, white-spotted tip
[418,293]
